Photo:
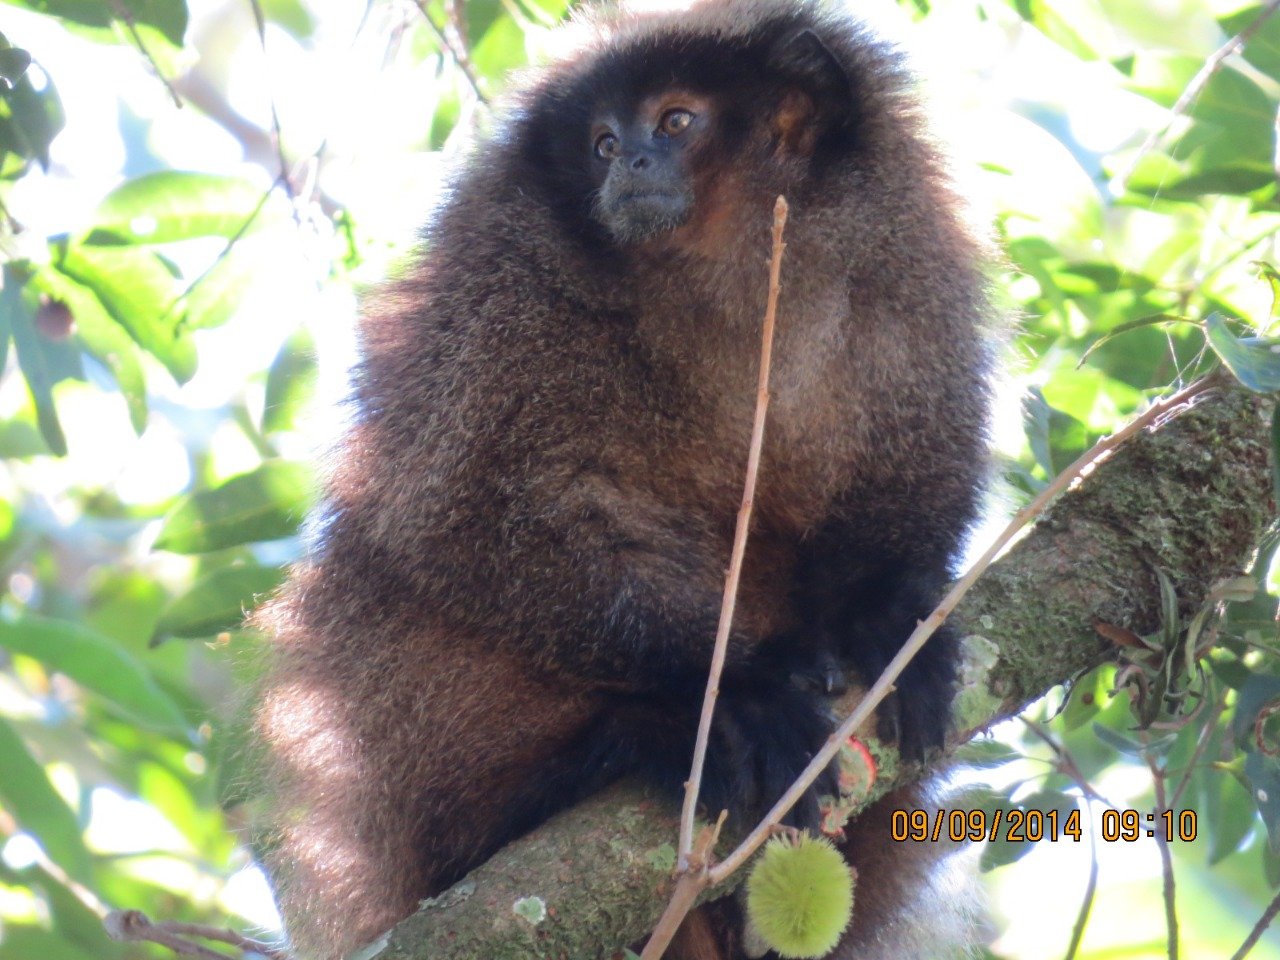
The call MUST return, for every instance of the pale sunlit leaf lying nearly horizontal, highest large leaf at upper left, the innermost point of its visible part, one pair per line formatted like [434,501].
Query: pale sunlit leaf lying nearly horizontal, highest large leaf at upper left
[176,205]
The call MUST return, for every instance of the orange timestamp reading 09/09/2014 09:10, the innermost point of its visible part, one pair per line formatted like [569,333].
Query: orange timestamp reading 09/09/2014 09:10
[1018,825]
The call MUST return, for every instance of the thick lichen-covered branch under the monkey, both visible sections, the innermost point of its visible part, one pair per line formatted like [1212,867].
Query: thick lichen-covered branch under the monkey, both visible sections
[1190,500]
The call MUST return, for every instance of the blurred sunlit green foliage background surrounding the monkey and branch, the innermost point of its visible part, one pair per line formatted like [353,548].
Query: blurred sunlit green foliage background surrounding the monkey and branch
[194,193]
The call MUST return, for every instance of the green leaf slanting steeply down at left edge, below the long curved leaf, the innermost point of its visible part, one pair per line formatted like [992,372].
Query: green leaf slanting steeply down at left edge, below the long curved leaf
[33,802]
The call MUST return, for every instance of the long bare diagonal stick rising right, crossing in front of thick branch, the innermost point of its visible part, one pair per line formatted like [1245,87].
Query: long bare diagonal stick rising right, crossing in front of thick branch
[926,628]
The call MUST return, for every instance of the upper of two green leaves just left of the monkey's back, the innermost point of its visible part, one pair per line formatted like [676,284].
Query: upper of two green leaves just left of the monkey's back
[264,505]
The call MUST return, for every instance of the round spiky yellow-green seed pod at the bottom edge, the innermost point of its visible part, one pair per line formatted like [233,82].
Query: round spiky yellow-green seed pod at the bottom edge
[801,897]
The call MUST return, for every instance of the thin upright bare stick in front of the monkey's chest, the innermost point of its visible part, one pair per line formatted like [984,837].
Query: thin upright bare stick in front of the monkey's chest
[744,522]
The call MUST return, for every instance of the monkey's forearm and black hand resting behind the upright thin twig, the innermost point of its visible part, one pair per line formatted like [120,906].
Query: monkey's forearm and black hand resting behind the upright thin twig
[630,604]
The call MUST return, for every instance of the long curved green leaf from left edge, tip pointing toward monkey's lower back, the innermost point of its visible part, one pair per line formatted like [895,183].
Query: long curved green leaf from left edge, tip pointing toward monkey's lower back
[97,664]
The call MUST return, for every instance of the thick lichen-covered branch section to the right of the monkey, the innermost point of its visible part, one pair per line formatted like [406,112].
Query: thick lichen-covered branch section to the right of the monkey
[1190,500]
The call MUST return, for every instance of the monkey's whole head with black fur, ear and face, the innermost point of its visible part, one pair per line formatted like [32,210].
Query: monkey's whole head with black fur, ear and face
[687,141]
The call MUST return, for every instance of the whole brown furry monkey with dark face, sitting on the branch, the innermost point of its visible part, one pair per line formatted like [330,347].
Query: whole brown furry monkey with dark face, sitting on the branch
[527,529]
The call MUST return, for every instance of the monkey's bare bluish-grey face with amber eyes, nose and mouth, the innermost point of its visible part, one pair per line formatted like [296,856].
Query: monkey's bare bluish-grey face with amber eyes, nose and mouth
[643,161]
